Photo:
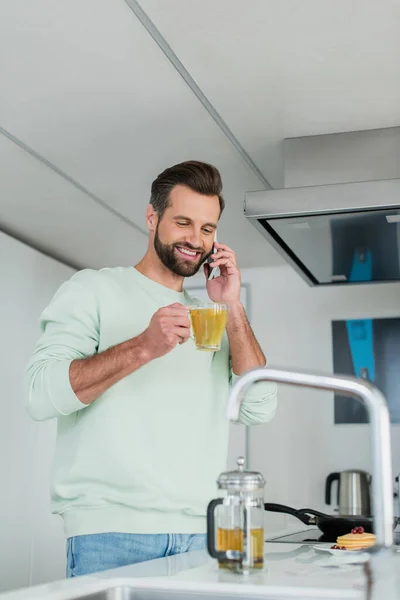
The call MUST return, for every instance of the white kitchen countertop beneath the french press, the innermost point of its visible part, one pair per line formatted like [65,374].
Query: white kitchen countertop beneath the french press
[291,571]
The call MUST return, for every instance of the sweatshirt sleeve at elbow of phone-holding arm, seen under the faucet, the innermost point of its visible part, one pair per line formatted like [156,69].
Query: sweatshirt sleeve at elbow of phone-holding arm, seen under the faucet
[260,403]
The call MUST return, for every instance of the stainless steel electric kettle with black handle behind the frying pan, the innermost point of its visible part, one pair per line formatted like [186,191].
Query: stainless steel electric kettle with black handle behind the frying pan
[353,492]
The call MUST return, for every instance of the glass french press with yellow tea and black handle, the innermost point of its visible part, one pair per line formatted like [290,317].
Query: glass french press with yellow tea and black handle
[235,523]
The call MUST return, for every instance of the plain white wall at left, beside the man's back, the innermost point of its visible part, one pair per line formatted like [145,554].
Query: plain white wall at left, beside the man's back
[32,545]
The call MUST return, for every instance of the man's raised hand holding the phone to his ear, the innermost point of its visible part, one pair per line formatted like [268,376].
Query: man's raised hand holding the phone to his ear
[226,287]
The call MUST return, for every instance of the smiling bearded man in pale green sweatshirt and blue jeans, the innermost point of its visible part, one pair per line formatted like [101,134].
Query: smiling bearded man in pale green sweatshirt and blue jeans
[142,429]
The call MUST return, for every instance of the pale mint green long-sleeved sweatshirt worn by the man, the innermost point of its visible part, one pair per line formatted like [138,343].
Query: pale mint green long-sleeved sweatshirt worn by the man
[144,456]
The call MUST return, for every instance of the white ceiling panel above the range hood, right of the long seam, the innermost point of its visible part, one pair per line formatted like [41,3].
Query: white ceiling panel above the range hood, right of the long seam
[282,68]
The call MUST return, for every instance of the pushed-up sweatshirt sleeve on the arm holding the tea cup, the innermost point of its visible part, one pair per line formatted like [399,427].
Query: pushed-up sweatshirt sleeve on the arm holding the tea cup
[70,330]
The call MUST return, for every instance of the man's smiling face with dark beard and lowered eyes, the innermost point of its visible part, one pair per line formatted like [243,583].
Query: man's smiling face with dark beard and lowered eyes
[184,236]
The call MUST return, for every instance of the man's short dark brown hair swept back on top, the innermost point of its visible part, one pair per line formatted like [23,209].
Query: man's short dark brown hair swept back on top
[198,176]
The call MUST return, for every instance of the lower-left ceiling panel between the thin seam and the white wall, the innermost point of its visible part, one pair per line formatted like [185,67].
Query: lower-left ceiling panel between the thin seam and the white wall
[41,208]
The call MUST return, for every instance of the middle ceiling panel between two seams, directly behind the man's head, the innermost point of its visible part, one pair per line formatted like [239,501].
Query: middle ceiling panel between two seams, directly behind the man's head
[89,89]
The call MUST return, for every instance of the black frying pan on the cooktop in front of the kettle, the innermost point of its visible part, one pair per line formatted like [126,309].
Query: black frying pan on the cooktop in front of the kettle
[330,525]
